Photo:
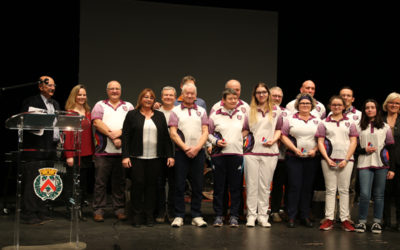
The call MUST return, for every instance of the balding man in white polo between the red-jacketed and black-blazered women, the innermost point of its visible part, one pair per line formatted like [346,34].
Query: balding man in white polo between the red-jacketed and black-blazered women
[108,117]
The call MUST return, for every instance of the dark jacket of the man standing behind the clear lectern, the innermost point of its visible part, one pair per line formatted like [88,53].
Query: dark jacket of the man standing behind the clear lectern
[32,141]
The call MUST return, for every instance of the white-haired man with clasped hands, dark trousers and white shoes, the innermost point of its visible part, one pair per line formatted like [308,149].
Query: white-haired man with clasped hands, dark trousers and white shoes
[189,130]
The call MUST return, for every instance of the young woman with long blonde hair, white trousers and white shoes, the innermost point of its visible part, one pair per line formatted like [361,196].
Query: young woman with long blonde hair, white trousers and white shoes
[261,154]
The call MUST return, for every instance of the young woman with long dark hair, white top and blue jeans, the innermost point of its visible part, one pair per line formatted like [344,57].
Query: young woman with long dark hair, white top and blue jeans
[375,140]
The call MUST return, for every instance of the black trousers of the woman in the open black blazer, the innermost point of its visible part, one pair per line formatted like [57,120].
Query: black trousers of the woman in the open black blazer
[144,175]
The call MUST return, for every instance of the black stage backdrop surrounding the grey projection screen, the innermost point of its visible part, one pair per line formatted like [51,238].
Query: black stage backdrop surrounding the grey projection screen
[334,45]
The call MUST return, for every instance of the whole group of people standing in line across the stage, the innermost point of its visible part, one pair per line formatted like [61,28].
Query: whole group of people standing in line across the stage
[252,145]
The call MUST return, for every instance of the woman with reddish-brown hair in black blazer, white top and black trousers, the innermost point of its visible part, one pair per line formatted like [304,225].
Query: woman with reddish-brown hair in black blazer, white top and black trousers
[146,146]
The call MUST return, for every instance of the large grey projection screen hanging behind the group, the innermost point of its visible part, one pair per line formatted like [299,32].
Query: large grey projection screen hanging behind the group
[151,45]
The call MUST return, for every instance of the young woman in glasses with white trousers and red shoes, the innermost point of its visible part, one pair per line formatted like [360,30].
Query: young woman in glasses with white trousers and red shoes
[337,140]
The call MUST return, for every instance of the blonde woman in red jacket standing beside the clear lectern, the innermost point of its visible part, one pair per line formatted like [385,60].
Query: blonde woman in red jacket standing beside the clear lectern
[77,103]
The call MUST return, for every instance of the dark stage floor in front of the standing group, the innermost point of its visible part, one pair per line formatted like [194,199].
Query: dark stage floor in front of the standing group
[112,234]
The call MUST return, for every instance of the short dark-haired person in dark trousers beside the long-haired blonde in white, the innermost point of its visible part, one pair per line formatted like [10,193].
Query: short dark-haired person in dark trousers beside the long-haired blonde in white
[227,126]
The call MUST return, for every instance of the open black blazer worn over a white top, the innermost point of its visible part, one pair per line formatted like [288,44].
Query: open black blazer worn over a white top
[132,135]
